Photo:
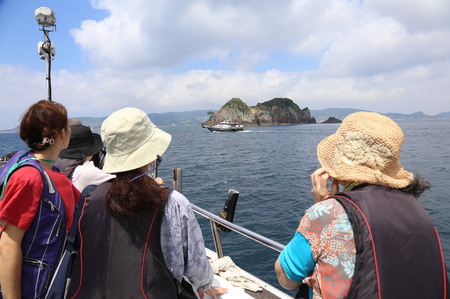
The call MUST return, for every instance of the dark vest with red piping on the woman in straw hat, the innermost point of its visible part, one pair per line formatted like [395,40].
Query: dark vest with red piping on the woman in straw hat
[398,252]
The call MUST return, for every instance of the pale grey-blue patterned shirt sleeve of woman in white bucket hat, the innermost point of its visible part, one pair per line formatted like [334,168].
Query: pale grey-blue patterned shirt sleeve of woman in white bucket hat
[182,243]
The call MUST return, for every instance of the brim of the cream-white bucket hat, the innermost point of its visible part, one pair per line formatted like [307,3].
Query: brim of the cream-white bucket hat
[148,152]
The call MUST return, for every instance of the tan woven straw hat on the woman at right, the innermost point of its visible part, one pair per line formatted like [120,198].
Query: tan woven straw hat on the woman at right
[365,149]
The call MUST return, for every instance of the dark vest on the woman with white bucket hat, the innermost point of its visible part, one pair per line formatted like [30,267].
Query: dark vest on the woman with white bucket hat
[120,257]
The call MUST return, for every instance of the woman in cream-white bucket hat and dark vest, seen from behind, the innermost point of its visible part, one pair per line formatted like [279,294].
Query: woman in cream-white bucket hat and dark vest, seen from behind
[136,236]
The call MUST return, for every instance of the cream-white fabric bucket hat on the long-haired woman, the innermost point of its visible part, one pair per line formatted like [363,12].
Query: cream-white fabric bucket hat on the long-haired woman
[131,140]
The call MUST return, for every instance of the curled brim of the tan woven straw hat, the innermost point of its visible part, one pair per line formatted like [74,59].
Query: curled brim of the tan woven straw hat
[360,173]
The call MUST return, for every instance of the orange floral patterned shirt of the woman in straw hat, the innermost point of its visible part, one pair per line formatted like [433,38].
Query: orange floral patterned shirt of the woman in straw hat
[327,228]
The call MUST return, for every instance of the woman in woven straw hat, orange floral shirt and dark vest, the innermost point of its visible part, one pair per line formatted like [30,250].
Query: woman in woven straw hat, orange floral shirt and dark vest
[374,239]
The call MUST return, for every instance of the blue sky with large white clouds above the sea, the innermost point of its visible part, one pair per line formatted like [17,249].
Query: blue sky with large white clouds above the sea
[169,55]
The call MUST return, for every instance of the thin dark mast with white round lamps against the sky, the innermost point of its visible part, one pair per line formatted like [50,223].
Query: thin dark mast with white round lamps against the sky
[45,17]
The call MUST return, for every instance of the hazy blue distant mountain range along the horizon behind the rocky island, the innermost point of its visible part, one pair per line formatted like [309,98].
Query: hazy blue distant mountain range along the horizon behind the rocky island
[197,117]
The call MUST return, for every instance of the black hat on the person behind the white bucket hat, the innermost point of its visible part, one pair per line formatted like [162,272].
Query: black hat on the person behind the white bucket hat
[83,143]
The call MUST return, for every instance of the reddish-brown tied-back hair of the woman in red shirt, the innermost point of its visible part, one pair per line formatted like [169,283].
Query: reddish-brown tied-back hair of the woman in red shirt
[44,119]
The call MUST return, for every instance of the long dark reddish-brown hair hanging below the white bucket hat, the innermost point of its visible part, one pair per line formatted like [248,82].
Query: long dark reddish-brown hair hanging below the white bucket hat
[129,198]
